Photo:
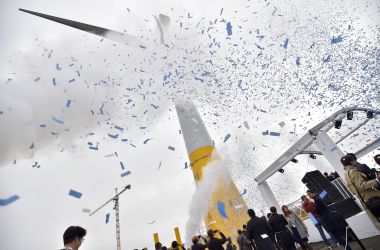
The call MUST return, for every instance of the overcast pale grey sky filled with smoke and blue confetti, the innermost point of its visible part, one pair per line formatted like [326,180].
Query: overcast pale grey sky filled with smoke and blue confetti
[293,62]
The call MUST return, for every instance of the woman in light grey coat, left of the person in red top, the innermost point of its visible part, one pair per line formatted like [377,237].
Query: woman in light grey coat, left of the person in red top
[298,228]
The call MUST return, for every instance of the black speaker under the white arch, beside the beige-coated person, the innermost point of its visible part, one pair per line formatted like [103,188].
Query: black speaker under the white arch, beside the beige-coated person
[316,181]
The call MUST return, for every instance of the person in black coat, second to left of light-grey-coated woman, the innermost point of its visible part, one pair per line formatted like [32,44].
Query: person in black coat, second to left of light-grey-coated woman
[259,230]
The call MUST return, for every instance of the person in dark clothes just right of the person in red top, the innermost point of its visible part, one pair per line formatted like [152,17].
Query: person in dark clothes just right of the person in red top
[327,220]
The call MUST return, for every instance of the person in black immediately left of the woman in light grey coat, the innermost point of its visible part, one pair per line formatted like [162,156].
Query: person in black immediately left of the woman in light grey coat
[282,235]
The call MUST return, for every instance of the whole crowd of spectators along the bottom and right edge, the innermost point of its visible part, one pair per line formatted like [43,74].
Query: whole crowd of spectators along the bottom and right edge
[285,230]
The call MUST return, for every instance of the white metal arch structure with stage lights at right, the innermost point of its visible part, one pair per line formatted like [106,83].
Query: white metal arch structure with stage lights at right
[326,146]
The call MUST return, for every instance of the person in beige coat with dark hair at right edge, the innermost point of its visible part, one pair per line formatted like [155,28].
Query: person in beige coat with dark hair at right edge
[367,190]
